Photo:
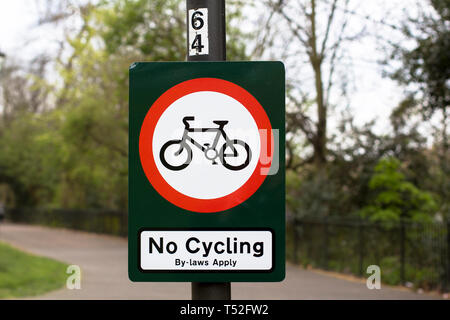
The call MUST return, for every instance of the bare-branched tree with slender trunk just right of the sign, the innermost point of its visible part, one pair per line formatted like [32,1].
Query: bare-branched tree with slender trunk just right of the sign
[311,34]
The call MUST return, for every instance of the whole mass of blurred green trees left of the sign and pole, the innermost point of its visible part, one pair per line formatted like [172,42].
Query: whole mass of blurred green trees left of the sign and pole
[75,153]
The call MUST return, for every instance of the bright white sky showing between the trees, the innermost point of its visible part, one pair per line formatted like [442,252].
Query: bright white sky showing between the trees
[373,96]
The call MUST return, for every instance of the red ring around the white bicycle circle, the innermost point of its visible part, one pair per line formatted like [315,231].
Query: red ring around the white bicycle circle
[146,149]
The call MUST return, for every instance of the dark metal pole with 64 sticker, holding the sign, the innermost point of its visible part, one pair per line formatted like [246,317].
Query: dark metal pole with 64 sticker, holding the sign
[206,42]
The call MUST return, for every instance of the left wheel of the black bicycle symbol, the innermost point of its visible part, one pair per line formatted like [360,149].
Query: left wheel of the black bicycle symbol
[179,154]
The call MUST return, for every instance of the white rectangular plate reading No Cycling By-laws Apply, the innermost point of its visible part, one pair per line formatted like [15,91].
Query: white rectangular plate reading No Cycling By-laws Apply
[233,250]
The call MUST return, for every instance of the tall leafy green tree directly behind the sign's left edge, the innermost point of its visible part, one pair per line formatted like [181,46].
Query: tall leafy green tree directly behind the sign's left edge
[95,92]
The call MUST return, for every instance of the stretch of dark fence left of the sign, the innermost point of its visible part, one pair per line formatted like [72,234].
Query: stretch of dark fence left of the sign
[99,221]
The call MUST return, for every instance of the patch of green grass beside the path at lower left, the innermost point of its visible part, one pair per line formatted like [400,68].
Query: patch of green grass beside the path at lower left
[25,275]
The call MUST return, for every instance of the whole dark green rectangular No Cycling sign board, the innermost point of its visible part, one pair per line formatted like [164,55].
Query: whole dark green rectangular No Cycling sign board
[206,171]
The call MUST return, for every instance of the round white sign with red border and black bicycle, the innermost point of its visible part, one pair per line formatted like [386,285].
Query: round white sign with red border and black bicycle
[205,130]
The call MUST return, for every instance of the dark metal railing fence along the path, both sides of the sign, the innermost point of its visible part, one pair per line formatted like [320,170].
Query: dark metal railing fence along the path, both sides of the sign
[407,253]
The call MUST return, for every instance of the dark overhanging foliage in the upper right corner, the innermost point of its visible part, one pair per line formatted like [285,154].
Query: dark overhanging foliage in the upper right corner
[428,63]
